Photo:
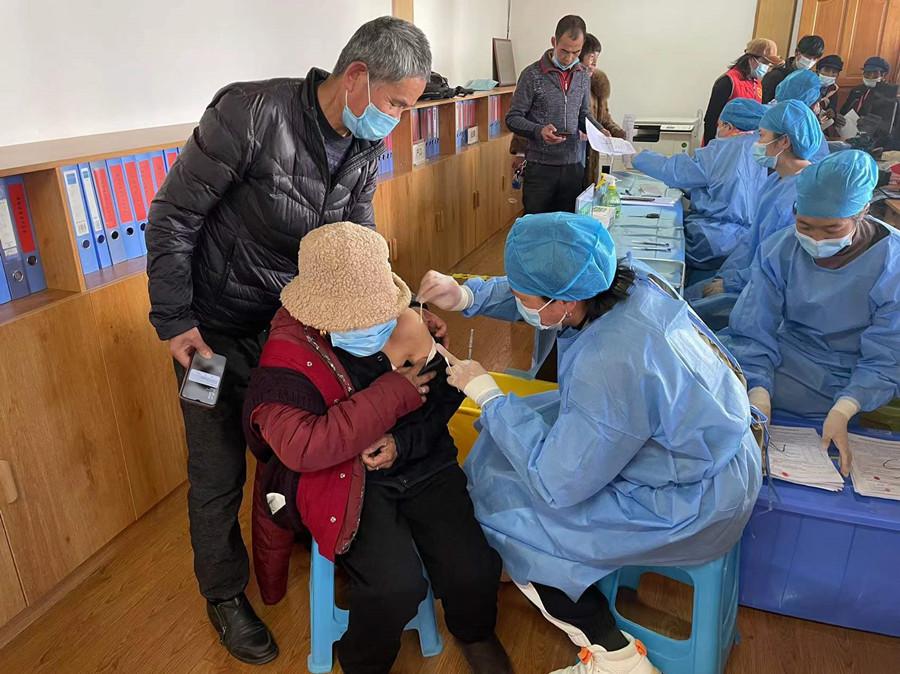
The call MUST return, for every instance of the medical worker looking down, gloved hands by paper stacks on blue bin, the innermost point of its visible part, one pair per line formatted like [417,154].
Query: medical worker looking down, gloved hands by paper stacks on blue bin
[817,330]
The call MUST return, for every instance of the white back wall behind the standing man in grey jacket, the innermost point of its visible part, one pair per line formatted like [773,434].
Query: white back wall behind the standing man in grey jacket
[662,57]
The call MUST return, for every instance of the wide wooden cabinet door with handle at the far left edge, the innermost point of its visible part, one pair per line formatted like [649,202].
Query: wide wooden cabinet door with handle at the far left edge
[60,437]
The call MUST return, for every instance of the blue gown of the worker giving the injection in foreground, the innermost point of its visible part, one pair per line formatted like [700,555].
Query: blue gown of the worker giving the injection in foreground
[644,455]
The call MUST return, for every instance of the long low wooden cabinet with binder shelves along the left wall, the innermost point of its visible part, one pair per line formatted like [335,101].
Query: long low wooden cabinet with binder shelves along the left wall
[88,393]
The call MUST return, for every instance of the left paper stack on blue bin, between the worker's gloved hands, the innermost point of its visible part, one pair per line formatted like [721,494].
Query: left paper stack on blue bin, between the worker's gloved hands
[796,455]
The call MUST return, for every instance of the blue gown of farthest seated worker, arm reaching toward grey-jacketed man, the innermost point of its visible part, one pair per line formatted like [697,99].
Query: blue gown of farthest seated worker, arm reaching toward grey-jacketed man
[723,182]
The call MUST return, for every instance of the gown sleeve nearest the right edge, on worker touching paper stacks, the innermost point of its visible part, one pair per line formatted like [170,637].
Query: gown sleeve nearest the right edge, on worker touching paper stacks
[874,379]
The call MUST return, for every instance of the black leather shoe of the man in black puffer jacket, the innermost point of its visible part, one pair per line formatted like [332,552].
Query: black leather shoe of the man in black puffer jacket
[241,631]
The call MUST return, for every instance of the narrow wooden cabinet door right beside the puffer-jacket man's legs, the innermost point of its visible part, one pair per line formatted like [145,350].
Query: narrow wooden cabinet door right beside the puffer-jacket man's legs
[144,391]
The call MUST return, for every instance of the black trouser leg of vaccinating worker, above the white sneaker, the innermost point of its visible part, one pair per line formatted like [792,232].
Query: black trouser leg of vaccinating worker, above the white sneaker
[590,614]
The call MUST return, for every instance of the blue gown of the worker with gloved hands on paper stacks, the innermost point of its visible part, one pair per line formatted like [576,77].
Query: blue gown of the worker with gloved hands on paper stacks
[811,335]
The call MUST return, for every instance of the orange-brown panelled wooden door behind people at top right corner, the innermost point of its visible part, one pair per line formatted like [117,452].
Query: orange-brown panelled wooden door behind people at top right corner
[855,29]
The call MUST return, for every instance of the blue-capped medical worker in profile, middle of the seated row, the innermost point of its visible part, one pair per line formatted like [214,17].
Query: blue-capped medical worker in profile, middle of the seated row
[789,135]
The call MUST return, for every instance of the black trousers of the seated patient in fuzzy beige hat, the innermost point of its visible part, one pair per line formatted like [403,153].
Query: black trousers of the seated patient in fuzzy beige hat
[435,518]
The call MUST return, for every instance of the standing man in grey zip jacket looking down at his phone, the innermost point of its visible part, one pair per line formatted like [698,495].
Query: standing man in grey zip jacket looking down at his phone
[549,109]
